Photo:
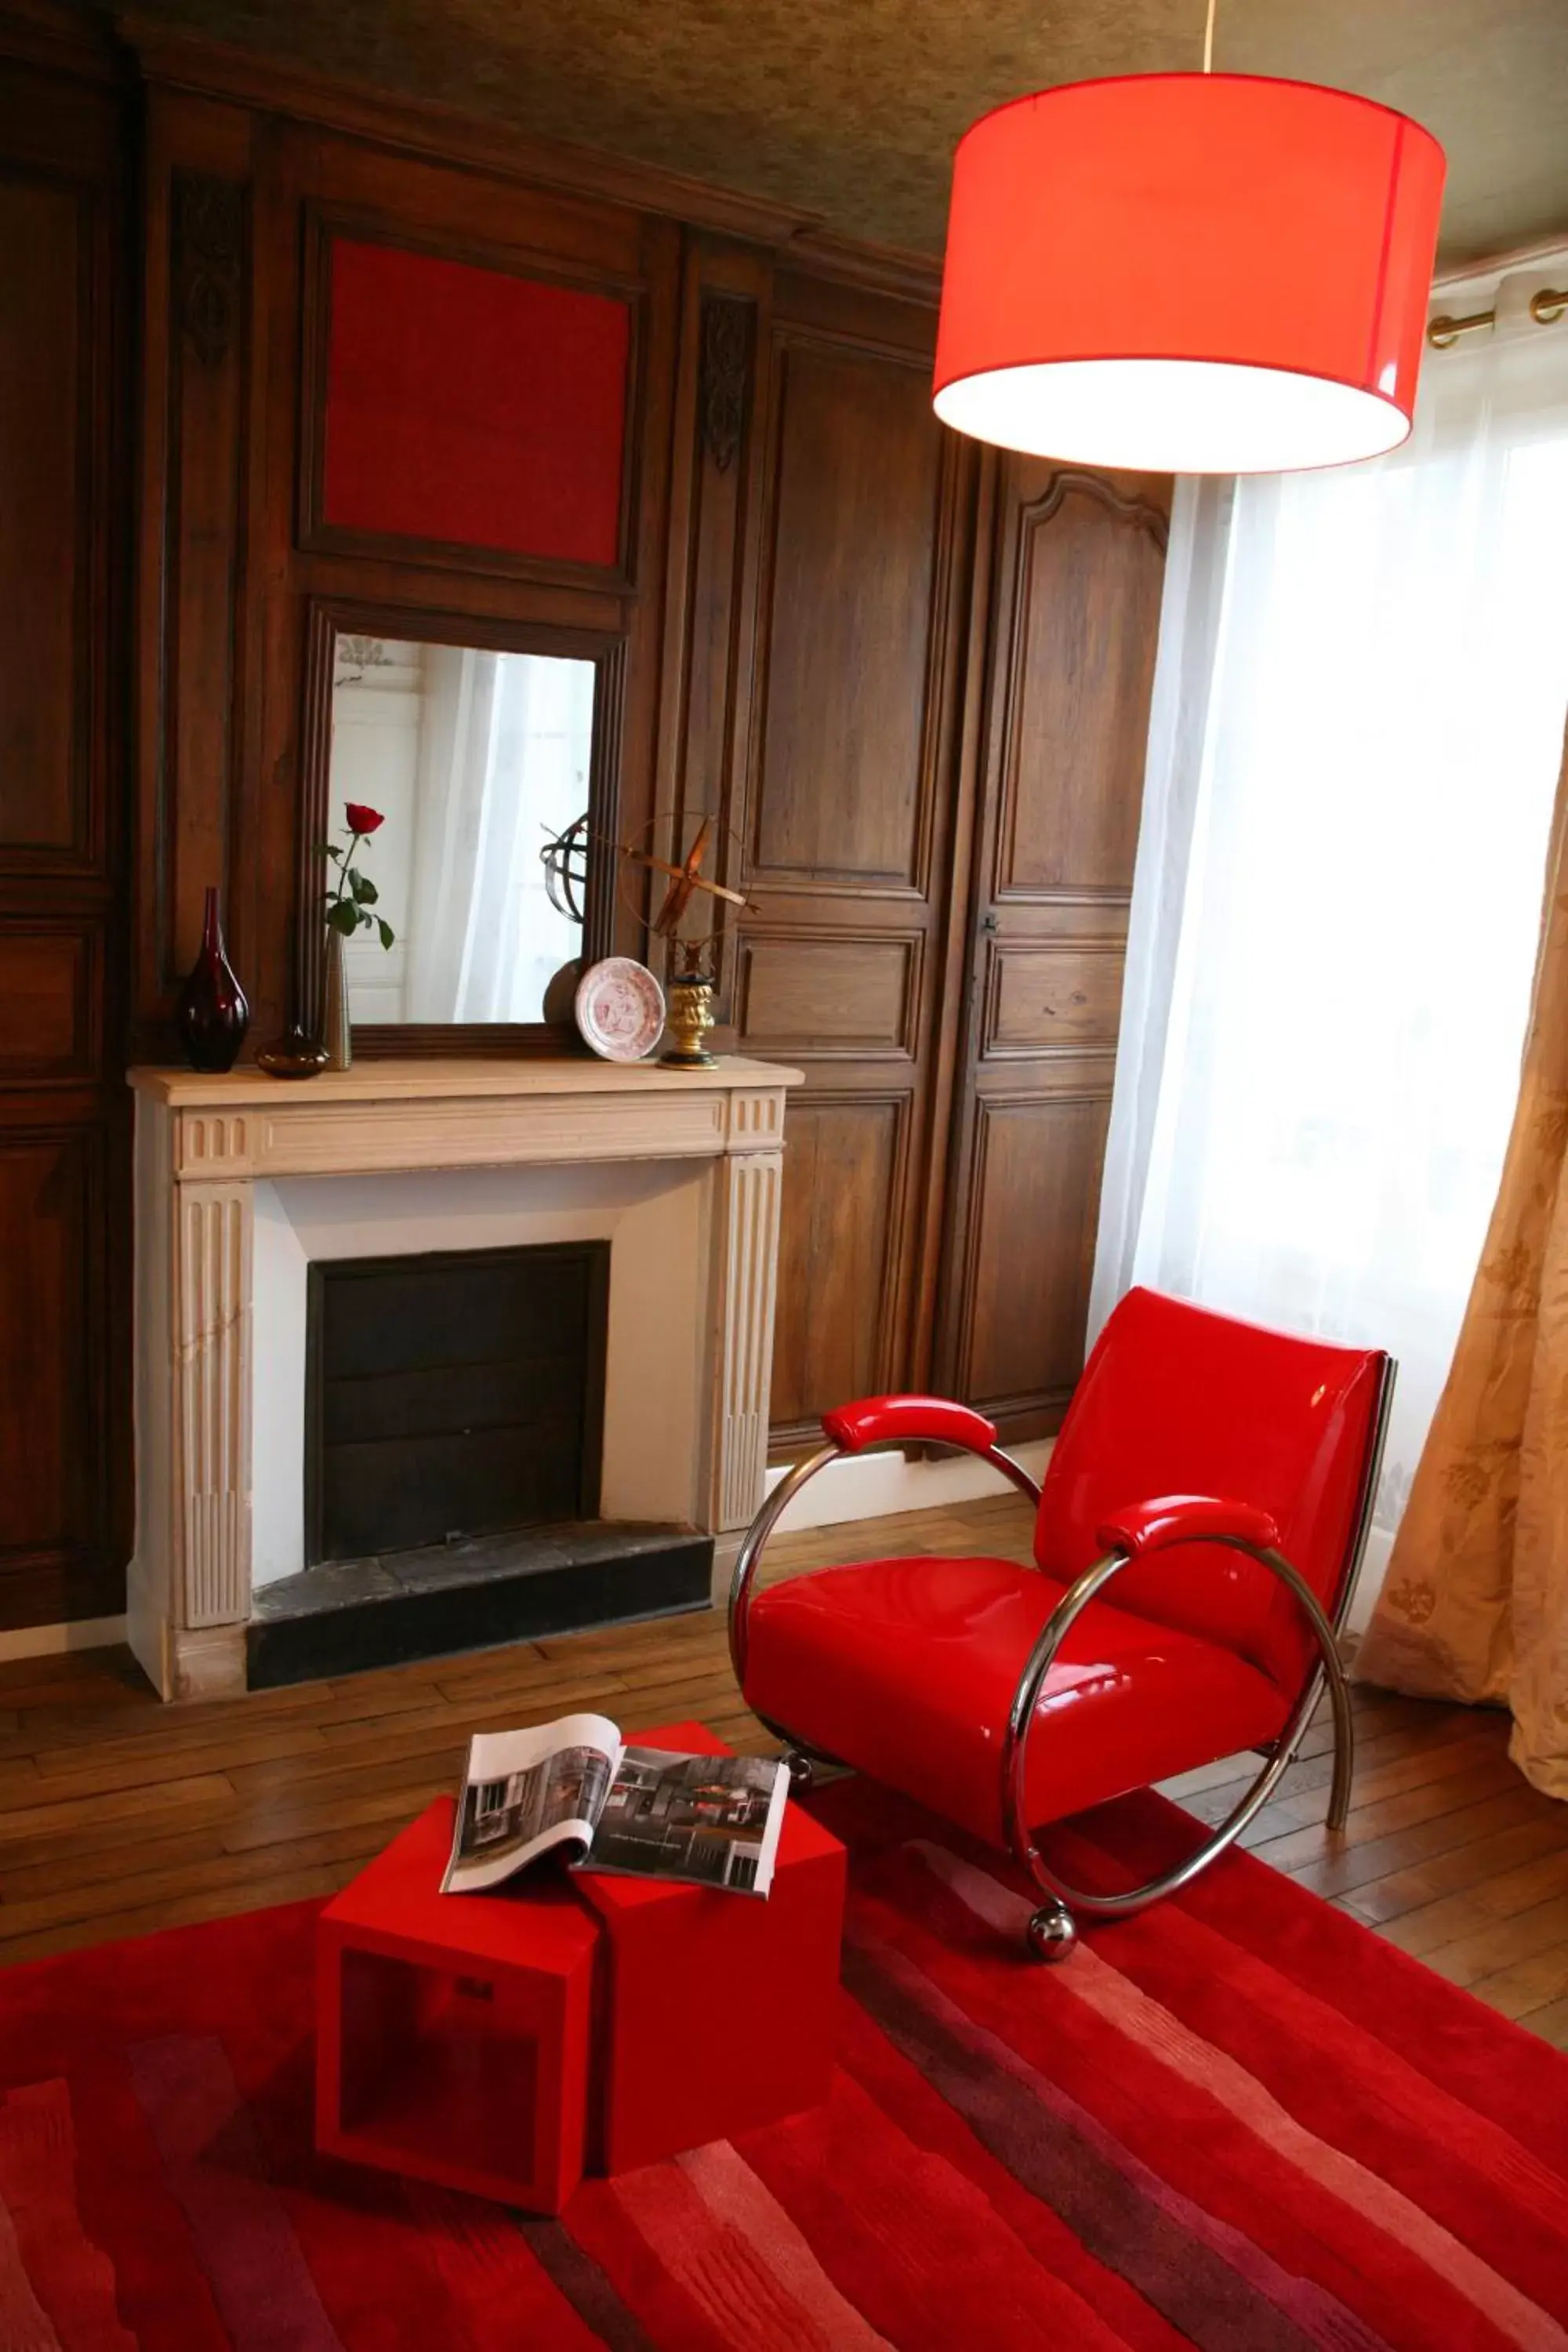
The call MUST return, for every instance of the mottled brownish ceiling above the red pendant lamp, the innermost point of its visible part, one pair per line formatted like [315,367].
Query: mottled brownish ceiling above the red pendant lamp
[852,107]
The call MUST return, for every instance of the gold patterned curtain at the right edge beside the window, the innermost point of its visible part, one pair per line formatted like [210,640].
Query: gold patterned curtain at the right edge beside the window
[1475,1603]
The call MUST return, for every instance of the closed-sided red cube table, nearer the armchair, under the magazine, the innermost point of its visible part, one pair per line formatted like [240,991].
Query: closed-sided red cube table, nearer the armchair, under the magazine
[718,2010]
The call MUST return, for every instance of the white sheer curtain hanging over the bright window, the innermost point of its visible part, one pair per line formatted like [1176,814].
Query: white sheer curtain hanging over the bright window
[1355,744]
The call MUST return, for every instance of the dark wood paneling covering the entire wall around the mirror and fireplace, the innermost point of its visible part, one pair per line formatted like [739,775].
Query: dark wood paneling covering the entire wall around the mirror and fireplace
[909,681]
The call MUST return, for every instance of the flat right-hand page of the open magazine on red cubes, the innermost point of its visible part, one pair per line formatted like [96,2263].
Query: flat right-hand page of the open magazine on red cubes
[711,1822]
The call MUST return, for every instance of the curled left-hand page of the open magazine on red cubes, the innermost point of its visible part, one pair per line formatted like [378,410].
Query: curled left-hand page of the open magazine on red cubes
[528,1793]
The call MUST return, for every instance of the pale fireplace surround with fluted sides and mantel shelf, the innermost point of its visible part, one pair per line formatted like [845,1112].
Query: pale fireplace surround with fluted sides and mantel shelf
[243,1182]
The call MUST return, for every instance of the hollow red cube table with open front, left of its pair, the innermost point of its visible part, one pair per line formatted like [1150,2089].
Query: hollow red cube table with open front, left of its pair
[453,2036]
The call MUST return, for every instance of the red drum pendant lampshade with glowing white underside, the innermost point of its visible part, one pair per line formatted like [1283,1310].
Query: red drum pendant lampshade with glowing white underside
[1188,274]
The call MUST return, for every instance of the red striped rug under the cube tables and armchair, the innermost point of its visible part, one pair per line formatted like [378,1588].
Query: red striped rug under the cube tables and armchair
[1235,2123]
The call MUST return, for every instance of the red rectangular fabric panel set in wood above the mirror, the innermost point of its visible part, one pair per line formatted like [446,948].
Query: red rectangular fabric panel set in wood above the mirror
[474,408]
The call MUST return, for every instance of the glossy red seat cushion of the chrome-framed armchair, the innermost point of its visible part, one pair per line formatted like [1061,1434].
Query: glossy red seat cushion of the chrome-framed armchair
[906,1669]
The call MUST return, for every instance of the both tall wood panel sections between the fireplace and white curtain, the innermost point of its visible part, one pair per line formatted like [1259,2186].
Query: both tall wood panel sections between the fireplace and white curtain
[923,683]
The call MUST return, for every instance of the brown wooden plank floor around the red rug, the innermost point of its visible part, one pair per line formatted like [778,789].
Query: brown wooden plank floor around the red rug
[119,1815]
